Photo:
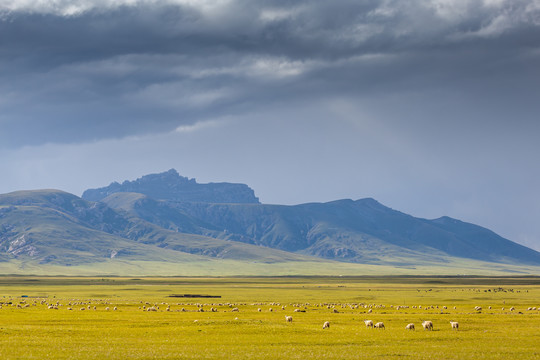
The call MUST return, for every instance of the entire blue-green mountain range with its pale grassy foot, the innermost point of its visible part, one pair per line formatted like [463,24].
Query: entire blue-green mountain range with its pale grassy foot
[167,224]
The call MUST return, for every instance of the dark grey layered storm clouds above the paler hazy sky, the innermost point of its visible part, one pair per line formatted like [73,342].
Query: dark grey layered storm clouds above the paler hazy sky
[83,70]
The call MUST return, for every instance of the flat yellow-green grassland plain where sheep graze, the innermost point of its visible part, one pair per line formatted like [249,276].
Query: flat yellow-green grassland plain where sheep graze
[29,329]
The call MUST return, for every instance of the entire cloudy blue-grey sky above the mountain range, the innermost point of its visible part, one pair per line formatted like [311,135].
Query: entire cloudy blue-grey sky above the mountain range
[429,106]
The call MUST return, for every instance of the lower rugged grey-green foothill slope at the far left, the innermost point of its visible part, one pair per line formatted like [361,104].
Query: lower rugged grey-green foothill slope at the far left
[48,236]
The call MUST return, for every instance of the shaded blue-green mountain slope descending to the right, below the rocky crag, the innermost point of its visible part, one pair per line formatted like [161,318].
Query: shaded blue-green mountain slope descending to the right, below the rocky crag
[360,231]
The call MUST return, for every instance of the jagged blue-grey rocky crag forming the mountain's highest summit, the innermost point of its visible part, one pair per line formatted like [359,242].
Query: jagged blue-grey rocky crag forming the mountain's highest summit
[171,186]
